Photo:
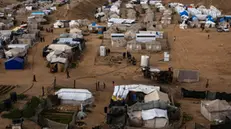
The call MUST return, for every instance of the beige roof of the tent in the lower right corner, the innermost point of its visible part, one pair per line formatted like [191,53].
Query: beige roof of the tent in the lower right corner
[217,105]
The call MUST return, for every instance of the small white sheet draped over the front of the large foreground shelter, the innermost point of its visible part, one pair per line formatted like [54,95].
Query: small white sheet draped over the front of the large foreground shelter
[154,113]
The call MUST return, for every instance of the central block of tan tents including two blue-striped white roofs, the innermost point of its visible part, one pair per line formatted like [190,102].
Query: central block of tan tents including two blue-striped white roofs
[133,32]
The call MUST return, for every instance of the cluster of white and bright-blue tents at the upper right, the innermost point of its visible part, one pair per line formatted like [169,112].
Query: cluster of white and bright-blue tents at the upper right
[197,16]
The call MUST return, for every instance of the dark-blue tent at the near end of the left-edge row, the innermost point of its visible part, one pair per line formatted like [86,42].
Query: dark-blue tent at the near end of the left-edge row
[15,63]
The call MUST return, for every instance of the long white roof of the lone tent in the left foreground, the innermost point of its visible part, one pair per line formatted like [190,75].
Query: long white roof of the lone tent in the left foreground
[74,94]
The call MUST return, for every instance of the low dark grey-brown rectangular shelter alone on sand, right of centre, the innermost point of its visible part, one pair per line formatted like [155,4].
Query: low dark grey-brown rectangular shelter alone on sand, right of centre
[187,76]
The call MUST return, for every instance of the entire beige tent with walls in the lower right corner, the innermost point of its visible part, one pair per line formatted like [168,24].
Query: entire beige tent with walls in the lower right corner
[215,110]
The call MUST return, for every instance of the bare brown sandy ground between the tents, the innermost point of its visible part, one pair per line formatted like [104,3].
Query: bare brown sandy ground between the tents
[191,50]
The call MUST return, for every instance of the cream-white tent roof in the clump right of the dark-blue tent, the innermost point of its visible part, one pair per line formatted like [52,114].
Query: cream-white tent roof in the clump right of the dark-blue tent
[60,47]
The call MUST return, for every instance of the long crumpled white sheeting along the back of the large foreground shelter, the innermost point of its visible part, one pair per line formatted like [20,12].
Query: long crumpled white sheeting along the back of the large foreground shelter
[122,91]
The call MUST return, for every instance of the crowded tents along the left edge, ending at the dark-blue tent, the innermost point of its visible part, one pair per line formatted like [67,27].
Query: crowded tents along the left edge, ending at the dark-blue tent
[15,43]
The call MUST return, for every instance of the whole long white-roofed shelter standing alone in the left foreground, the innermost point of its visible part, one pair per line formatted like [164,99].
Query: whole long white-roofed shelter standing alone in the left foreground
[75,96]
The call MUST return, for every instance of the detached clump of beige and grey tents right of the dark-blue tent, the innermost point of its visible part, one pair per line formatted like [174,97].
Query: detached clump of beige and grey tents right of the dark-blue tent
[68,47]
